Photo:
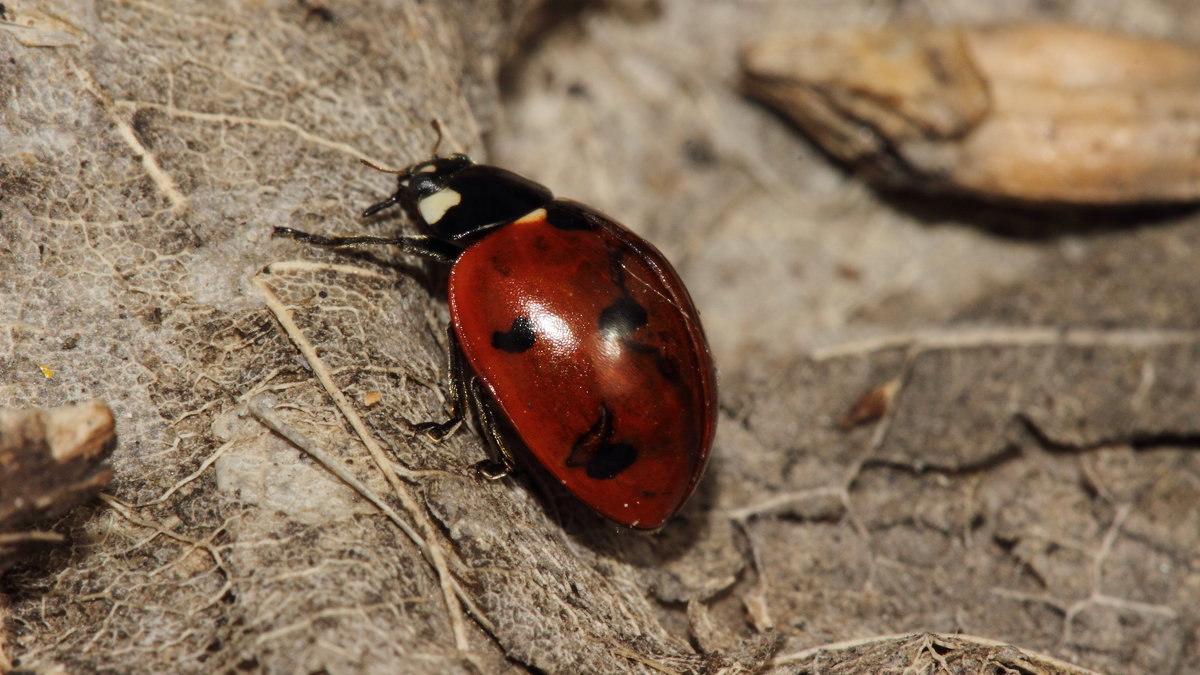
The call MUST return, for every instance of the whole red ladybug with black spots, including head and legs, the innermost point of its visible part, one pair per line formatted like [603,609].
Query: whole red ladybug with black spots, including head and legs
[568,332]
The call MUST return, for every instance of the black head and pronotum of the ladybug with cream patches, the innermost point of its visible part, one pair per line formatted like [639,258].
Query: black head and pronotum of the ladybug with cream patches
[457,200]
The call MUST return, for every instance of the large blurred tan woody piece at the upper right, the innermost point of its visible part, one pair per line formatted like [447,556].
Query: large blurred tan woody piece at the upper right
[1030,114]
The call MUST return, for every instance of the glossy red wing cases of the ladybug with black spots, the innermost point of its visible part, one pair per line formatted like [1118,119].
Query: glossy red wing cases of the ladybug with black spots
[615,393]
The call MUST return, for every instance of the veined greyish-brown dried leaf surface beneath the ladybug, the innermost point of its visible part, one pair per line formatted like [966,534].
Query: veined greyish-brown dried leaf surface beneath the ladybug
[1034,477]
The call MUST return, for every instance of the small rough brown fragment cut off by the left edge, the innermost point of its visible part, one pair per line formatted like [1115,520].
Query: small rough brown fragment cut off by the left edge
[51,459]
